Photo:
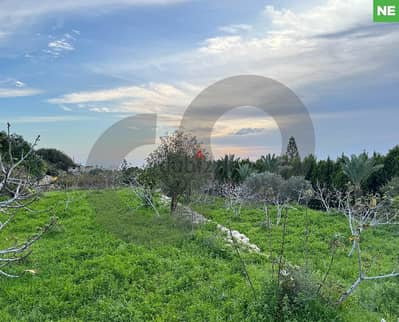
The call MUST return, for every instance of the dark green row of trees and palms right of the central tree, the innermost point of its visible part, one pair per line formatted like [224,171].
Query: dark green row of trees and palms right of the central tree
[368,173]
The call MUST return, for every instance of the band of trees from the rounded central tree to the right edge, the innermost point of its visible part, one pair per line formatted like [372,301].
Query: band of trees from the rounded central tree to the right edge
[179,165]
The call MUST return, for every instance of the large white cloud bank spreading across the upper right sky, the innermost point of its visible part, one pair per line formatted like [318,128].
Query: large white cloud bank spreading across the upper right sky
[310,47]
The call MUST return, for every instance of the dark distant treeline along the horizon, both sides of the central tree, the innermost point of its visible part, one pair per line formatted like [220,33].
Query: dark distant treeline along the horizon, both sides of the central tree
[327,173]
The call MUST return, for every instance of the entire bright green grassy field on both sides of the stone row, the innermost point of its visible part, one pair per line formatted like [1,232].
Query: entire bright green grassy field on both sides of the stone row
[109,259]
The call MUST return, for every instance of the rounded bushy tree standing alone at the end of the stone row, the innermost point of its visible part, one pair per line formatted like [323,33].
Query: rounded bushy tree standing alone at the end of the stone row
[180,165]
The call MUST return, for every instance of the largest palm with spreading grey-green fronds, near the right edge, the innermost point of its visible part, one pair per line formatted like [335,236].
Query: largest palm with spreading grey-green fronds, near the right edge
[359,169]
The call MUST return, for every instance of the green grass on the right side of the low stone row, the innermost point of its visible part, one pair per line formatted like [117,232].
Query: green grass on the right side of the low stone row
[380,254]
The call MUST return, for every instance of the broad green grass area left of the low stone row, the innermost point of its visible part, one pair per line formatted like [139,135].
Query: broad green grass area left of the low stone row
[104,262]
